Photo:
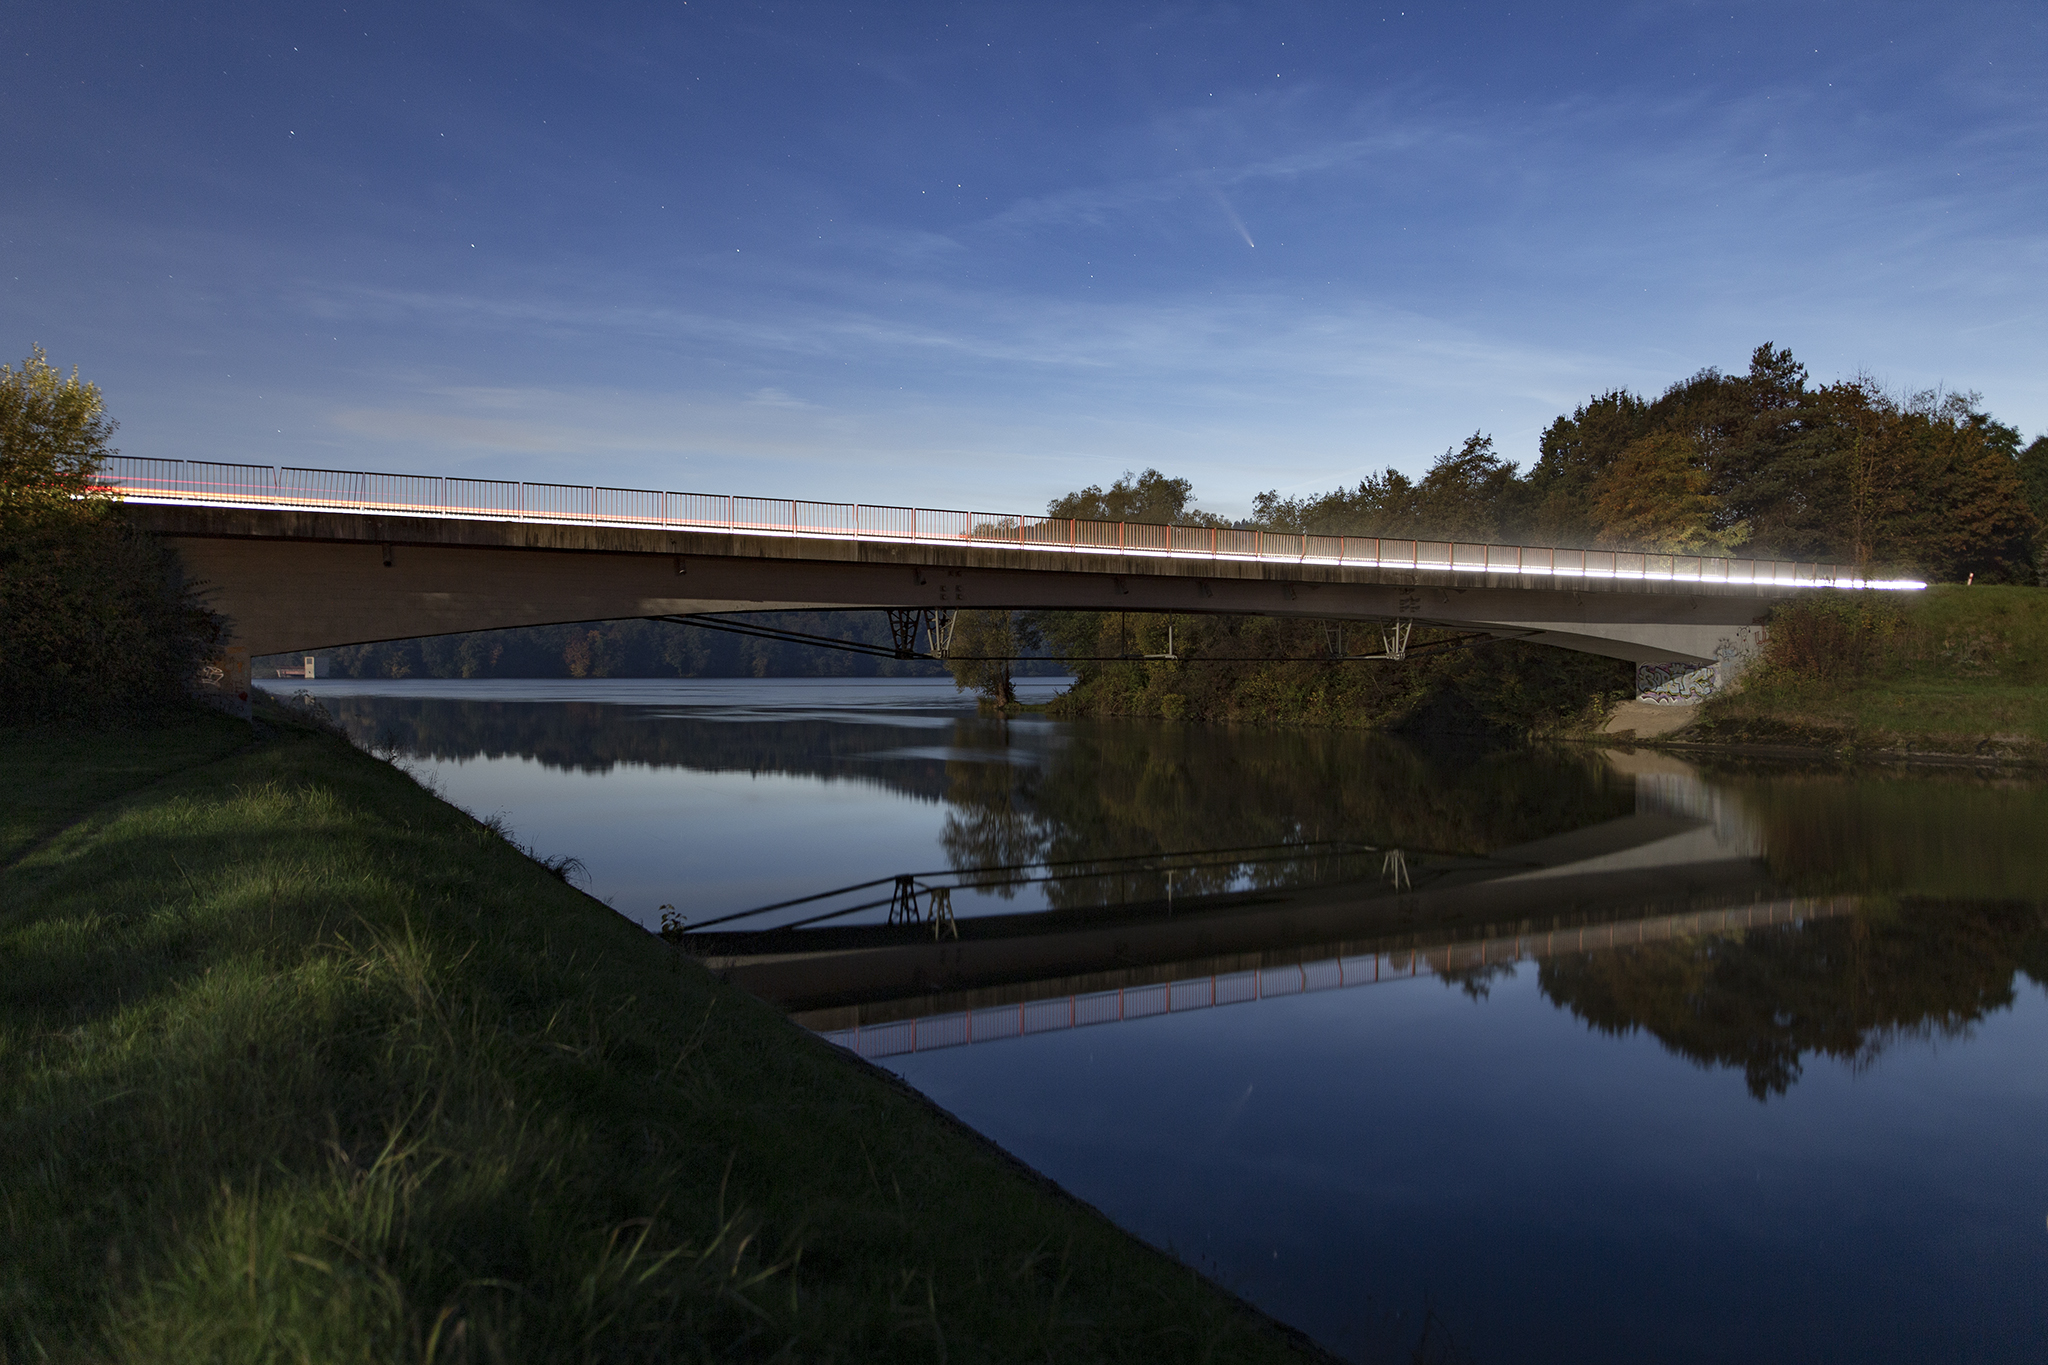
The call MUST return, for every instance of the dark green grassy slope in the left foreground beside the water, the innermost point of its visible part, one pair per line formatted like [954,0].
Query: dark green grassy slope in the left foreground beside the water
[302,1063]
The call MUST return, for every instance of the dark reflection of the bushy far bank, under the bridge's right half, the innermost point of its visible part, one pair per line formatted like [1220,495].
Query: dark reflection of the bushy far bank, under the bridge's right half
[1123,789]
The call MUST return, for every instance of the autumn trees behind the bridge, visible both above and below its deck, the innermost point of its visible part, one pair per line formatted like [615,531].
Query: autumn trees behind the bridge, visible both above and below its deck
[1762,464]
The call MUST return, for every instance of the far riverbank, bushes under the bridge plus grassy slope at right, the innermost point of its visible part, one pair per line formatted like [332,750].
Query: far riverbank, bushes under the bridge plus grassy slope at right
[1953,674]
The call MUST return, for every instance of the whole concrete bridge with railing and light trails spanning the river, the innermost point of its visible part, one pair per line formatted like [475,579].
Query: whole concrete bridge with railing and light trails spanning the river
[308,560]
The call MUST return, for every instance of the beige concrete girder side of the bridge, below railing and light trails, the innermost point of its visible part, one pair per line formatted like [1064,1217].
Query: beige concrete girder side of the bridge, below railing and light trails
[316,580]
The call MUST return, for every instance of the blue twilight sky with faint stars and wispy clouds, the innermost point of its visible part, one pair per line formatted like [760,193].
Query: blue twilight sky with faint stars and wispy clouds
[978,255]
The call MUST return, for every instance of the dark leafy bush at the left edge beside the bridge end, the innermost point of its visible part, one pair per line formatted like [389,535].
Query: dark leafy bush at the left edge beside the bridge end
[93,619]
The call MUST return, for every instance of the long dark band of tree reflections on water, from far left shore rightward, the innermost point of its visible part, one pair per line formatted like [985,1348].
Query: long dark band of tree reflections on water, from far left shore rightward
[1023,793]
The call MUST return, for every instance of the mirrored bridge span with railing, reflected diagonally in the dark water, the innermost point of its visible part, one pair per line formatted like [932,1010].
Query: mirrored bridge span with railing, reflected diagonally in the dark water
[1687,865]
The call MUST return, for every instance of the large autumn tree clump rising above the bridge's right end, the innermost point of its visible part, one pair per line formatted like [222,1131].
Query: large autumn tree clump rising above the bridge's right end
[1762,464]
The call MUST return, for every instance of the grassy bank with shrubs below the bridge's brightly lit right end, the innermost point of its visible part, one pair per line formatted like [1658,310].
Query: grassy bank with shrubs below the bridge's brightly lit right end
[1949,672]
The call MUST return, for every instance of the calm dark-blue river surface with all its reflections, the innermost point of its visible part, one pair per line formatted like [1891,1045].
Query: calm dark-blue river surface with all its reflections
[1512,1055]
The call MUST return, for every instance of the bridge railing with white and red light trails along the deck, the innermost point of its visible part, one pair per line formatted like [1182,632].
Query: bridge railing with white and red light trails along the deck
[339,490]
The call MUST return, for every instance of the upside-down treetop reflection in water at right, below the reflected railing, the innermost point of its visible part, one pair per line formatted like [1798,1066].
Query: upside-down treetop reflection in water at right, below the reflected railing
[1846,989]
